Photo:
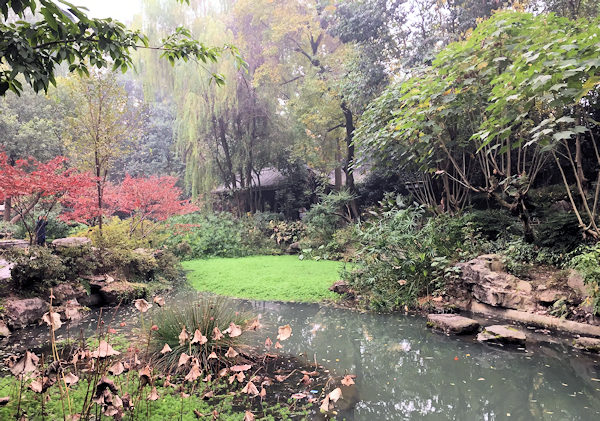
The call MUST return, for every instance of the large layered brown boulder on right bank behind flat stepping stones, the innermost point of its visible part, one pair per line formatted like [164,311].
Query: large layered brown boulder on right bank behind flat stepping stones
[498,289]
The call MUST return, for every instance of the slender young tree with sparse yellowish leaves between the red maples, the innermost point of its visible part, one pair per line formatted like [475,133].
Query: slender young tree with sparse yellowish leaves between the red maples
[101,128]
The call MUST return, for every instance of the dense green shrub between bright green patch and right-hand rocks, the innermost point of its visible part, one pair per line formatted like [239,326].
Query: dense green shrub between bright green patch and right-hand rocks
[404,255]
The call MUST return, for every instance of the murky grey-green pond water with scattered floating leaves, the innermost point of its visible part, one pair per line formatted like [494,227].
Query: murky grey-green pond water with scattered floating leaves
[406,372]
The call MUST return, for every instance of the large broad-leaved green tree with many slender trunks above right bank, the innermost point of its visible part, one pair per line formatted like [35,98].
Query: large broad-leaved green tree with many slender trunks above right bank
[484,118]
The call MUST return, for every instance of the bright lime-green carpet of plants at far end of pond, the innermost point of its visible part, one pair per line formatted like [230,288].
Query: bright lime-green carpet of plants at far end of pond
[281,278]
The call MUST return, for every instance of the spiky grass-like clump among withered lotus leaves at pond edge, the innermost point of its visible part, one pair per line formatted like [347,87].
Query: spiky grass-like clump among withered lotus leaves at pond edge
[204,314]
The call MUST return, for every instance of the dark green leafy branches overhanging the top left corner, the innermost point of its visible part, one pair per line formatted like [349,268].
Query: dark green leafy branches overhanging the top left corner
[60,33]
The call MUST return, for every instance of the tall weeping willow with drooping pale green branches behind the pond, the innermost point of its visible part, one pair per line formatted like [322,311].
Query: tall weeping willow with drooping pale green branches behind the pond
[225,134]
